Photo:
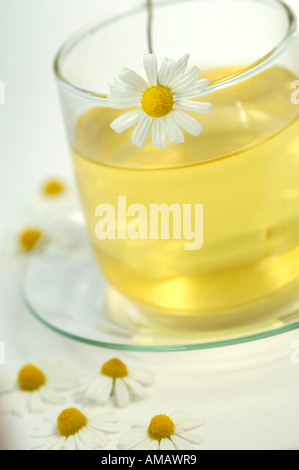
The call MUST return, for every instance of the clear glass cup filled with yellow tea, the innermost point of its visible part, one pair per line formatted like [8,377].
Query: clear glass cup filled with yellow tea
[244,168]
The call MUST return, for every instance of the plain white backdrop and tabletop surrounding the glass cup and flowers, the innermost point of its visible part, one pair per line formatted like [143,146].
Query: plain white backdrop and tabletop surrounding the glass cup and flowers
[249,393]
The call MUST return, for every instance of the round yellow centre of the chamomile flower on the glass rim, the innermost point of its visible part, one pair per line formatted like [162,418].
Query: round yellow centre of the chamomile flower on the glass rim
[157,101]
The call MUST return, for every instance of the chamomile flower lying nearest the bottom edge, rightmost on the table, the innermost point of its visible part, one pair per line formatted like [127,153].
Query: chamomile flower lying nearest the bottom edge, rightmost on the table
[163,432]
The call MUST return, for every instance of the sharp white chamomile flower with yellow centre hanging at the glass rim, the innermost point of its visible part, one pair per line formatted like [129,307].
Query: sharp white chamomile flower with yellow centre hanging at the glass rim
[160,101]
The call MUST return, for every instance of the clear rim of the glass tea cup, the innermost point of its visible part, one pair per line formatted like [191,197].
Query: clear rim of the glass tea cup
[239,75]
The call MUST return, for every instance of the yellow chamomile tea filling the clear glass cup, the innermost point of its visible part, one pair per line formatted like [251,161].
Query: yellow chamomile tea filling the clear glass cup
[244,169]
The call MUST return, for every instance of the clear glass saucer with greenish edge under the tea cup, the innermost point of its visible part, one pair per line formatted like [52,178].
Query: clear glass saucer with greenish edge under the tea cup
[65,290]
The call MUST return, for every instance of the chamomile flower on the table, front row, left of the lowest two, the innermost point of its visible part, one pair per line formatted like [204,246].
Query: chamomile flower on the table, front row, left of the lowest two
[75,429]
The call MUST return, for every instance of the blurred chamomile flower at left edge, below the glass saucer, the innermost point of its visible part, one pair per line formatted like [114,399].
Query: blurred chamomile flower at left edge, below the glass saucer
[35,386]
